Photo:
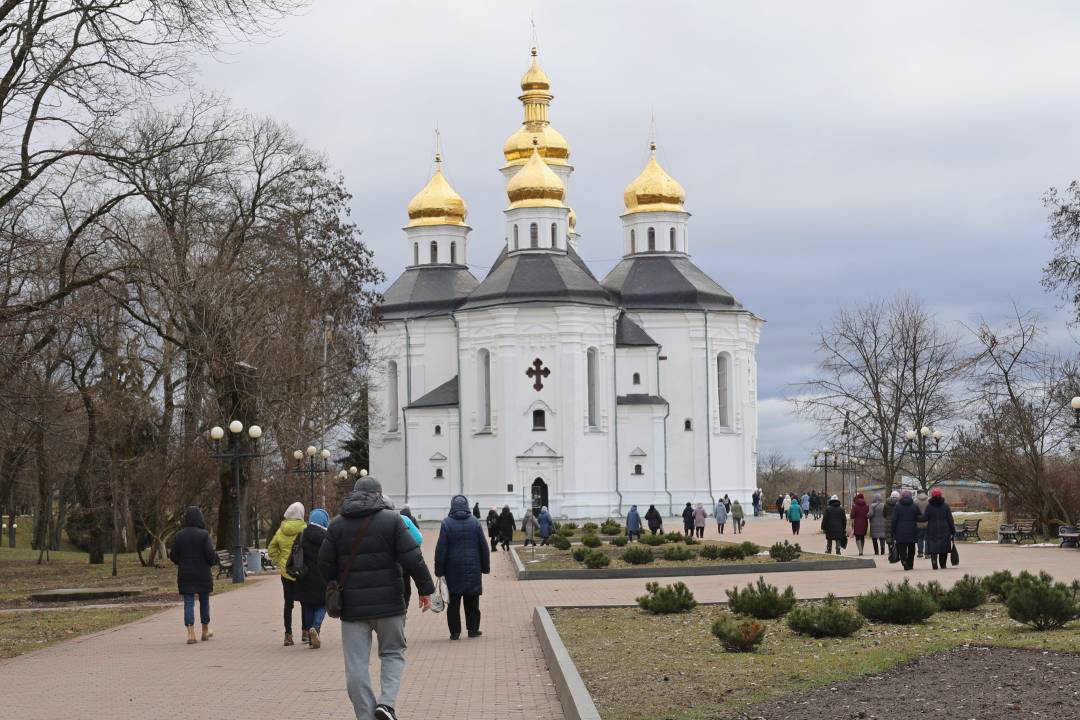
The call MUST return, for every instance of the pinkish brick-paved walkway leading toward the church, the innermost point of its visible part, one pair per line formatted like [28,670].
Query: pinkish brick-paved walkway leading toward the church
[145,671]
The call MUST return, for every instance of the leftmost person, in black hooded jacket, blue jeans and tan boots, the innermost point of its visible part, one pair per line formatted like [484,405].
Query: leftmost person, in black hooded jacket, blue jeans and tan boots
[194,556]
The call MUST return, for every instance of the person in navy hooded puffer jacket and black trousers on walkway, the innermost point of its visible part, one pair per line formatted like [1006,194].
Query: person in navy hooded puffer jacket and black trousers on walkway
[463,559]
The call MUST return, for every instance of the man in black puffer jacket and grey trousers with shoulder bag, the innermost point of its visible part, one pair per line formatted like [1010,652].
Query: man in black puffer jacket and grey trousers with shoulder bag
[372,597]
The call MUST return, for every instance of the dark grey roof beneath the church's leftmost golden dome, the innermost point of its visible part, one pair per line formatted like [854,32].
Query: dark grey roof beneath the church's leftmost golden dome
[427,291]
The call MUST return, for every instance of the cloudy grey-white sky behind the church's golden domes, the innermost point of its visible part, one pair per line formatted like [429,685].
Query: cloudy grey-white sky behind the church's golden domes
[832,153]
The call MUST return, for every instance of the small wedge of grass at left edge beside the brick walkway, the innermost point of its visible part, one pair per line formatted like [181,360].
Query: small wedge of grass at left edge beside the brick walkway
[23,632]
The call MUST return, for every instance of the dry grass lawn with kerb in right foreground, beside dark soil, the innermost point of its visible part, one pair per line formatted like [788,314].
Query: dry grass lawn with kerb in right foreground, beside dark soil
[681,672]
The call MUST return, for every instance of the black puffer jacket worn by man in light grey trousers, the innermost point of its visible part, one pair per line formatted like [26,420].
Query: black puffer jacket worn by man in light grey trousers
[374,587]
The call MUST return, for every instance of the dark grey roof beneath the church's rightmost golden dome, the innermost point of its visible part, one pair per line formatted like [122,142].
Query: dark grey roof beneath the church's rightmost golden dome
[666,282]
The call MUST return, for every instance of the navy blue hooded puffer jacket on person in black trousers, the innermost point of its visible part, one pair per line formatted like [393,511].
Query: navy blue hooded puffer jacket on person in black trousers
[463,554]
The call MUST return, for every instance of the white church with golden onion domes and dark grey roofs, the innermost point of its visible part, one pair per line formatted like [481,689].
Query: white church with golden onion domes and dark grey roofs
[542,386]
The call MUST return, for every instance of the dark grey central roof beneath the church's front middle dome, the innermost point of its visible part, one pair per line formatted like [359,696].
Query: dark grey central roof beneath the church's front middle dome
[547,278]
